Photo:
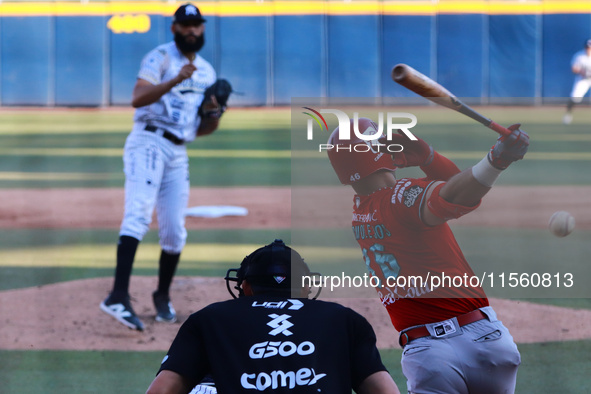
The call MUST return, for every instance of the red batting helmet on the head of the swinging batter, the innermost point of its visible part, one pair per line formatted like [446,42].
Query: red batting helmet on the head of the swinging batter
[354,159]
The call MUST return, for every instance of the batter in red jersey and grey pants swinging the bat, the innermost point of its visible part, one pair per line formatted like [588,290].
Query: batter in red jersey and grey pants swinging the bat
[452,339]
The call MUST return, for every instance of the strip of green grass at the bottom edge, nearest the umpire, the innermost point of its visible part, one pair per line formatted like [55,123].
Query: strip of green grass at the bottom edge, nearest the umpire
[556,367]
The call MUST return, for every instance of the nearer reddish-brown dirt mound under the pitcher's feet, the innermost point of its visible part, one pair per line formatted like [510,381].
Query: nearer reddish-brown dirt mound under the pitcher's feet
[67,316]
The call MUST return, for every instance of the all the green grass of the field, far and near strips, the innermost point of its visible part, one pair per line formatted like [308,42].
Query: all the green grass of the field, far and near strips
[83,148]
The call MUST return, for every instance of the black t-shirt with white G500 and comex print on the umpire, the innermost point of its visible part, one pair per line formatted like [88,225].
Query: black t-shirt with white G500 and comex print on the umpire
[276,344]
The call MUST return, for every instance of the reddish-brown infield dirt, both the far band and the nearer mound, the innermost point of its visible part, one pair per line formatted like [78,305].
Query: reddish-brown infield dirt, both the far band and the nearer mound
[67,316]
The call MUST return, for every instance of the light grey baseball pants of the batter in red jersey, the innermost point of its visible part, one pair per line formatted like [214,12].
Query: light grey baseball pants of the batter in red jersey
[480,358]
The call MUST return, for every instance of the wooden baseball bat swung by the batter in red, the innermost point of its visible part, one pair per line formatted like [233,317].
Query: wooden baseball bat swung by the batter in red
[428,88]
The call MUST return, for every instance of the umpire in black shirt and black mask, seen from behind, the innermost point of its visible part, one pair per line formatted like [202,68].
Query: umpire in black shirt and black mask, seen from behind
[272,338]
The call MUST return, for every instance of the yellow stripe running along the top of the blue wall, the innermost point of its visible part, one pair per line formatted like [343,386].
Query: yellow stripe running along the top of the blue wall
[310,7]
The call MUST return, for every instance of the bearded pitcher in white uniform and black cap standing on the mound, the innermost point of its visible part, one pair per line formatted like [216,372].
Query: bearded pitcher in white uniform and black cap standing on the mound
[167,95]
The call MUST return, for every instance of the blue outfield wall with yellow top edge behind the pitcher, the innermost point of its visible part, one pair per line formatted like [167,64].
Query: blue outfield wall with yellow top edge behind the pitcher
[90,56]
